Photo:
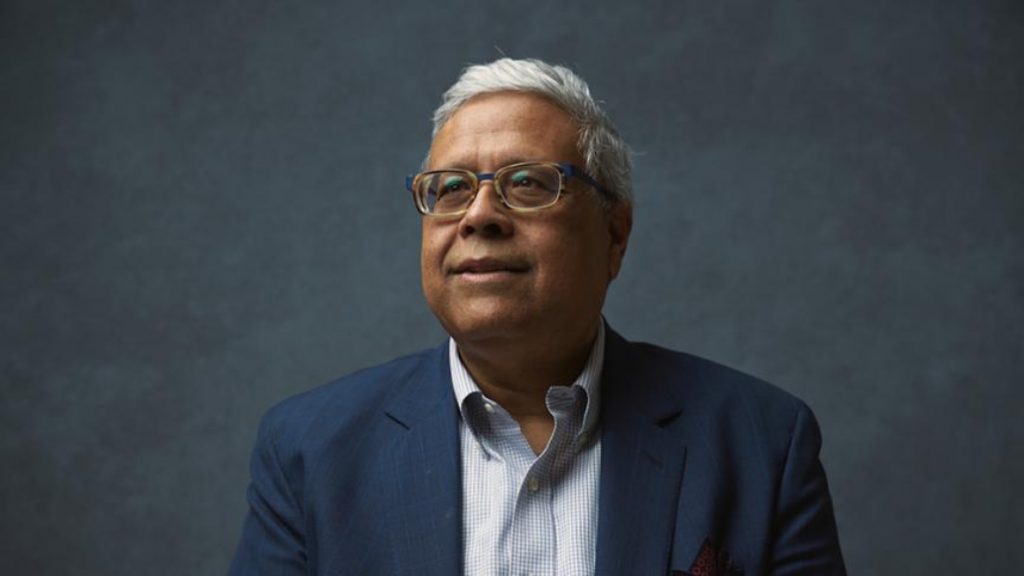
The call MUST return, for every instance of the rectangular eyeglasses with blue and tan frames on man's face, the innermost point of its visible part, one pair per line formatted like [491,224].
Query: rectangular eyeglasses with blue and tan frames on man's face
[525,187]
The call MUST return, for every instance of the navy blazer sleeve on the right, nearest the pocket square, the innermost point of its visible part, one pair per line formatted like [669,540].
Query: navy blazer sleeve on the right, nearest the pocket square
[805,538]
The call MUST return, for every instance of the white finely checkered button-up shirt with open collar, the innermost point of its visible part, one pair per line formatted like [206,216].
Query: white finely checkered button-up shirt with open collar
[524,514]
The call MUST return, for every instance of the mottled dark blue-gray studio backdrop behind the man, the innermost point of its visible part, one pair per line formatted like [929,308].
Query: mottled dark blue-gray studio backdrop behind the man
[830,196]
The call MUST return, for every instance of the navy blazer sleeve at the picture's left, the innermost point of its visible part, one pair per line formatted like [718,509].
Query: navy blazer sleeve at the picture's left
[273,541]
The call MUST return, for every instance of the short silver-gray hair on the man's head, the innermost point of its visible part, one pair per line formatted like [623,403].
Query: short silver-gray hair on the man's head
[608,157]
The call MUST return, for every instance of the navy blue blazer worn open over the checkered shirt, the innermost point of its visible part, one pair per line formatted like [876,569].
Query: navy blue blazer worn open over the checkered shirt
[362,477]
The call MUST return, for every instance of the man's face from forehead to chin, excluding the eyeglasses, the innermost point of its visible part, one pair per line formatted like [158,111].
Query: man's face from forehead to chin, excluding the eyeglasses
[496,274]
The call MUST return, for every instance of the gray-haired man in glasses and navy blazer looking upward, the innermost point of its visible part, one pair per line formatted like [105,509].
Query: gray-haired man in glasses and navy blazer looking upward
[536,441]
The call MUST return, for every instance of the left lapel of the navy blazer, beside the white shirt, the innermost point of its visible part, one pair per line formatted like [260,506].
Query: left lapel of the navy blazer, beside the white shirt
[428,523]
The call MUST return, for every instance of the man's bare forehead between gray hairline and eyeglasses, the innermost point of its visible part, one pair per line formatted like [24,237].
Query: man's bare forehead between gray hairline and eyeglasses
[494,131]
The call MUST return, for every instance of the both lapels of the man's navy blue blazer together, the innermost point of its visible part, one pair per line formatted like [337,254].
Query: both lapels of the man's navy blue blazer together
[644,456]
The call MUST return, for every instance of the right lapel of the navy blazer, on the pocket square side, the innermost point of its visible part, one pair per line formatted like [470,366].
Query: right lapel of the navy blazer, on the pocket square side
[644,455]
